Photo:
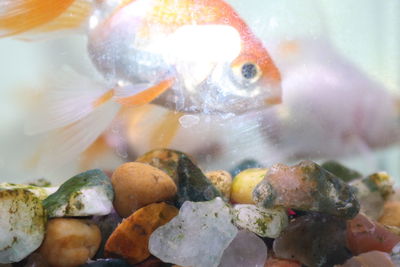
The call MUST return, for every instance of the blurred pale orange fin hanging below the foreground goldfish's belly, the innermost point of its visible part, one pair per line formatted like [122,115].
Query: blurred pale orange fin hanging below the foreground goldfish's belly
[165,130]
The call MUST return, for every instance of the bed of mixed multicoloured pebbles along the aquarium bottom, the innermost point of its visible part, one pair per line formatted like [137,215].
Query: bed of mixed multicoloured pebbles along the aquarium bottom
[162,210]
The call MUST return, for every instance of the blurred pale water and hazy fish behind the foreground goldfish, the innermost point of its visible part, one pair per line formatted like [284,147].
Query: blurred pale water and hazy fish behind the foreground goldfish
[340,64]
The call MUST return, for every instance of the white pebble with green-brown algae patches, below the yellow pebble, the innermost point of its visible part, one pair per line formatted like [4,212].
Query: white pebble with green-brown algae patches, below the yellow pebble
[263,222]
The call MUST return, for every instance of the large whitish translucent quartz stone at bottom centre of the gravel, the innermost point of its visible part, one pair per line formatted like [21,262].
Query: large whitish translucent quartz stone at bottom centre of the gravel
[197,237]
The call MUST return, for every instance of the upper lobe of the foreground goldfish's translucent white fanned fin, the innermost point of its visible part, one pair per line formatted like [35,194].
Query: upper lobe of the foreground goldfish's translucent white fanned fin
[75,98]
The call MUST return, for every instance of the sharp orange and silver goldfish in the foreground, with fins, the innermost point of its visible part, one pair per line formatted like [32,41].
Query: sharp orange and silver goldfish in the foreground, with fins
[191,56]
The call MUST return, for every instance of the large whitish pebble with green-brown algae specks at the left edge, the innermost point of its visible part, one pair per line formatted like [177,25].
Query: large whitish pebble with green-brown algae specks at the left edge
[22,224]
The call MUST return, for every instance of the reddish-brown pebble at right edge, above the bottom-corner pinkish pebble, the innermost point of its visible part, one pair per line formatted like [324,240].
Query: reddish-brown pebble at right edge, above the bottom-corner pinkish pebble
[364,235]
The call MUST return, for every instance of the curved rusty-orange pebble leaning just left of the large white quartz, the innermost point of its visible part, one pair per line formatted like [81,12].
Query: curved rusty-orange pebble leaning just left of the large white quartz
[130,239]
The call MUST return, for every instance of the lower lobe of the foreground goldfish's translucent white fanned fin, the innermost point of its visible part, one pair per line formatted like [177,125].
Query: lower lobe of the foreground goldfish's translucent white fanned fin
[67,143]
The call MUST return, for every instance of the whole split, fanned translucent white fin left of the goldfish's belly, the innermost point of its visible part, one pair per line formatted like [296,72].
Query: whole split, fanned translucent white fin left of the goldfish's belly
[73,117]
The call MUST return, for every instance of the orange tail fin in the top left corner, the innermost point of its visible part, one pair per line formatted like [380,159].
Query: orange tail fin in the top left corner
[21,16]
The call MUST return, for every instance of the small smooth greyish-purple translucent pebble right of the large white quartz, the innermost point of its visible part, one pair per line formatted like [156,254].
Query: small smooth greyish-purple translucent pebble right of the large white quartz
[247,249]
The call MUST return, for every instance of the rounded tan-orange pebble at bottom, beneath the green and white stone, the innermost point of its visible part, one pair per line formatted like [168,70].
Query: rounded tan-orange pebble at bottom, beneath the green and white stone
[70,242]
